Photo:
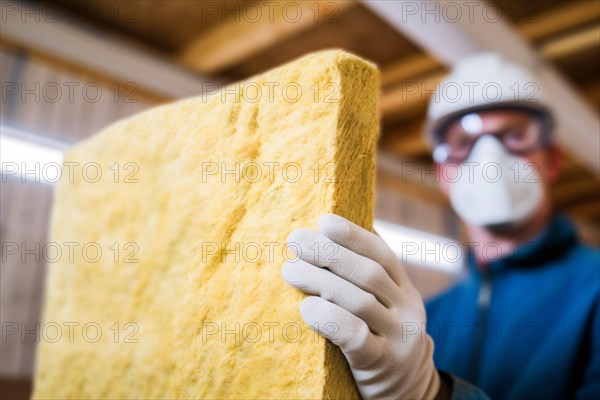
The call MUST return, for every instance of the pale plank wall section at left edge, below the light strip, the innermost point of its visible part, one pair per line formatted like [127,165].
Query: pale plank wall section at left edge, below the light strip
[24,211]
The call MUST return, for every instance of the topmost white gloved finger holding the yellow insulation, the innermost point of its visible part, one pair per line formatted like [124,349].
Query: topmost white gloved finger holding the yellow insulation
[361,241]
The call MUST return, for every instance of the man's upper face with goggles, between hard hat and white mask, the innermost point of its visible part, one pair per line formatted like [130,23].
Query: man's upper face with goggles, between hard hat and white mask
[519,132]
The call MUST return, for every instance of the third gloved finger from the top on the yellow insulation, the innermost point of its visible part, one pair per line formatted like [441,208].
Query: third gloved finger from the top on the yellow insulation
[330,287]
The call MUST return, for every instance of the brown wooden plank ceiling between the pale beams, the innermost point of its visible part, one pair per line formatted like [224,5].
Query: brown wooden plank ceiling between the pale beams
[227,41]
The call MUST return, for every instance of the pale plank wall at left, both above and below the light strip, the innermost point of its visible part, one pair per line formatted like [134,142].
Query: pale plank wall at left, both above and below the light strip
[25,207]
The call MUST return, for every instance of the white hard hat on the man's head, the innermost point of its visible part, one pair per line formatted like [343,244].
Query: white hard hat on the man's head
[480,82]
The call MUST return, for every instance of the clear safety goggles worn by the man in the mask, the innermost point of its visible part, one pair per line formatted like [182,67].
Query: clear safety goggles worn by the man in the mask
[521,132]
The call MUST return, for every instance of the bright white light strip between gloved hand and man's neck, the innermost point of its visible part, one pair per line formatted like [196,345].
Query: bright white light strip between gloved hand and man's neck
[420,248]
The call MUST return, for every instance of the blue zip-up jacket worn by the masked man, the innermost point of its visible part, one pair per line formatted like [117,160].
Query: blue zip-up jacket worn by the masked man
[528,325]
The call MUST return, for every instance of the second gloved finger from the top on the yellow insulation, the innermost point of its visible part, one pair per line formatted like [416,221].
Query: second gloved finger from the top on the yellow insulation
[318,250]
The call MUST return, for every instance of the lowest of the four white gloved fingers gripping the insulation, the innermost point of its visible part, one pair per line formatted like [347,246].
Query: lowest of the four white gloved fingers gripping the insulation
[348,332]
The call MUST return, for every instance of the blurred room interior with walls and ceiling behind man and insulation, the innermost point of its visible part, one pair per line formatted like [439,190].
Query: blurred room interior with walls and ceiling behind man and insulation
[68,68]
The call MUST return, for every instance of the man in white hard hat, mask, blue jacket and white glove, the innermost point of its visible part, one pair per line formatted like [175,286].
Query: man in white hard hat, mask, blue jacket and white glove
[524,322]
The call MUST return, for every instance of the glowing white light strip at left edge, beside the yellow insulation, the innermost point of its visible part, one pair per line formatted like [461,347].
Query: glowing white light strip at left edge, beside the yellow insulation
[29,157]
